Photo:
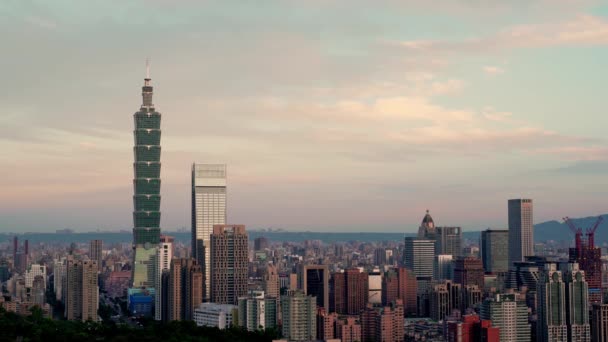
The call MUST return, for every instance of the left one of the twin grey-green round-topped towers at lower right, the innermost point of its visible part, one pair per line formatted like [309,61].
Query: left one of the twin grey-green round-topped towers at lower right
[551,323]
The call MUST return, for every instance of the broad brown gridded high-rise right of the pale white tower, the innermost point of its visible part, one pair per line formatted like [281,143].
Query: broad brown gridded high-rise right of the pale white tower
[229,263]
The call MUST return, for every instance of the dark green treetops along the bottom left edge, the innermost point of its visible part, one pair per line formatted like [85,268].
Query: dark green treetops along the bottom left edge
[35,327]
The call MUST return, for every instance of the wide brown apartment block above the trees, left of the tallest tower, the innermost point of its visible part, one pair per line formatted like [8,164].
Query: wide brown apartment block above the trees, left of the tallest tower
[81,290]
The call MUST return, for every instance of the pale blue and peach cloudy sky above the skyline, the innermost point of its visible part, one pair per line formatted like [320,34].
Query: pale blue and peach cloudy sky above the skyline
[331,115]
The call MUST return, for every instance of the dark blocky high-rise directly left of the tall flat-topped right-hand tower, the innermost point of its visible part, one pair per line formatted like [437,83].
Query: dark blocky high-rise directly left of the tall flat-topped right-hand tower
[494,250]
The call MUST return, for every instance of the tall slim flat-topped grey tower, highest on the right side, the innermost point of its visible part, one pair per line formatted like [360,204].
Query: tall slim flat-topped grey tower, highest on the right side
[521,230]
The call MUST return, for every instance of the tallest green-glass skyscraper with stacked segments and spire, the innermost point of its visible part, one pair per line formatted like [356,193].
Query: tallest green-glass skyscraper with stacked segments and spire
[146,184]
